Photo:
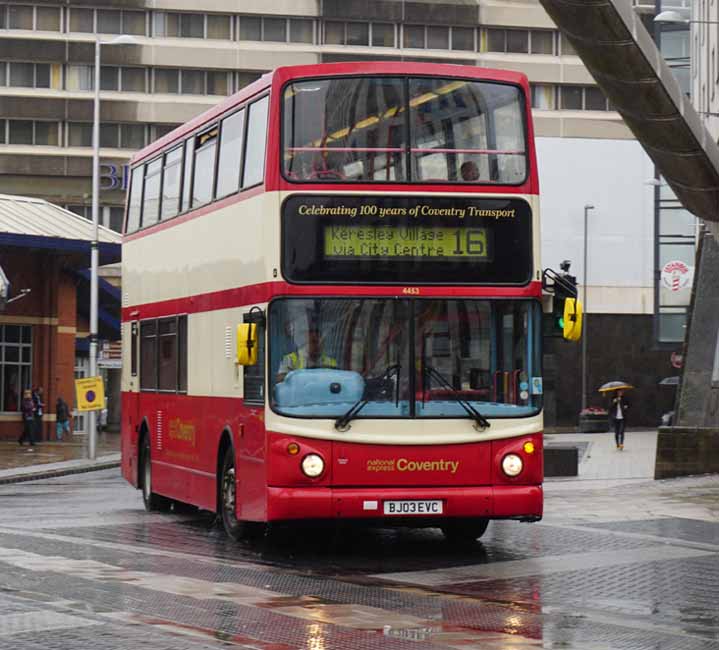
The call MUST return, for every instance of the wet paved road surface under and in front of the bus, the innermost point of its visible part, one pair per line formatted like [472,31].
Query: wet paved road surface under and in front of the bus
[614,564]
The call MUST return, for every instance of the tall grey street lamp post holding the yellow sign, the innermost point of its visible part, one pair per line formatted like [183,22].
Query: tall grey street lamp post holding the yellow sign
[94,245]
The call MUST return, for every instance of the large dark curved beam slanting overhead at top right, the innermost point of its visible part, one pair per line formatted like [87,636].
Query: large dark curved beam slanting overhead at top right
[622,57]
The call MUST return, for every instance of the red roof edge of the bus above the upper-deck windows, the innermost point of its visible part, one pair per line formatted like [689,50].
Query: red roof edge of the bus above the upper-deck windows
[280,76]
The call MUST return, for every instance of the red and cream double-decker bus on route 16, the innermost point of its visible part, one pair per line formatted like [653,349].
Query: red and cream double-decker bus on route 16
[332,302]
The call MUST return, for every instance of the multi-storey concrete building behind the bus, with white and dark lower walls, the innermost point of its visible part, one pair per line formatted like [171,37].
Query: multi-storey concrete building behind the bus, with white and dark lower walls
[184,60]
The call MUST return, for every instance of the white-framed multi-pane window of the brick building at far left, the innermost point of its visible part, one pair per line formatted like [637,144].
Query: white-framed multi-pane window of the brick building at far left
[16,361]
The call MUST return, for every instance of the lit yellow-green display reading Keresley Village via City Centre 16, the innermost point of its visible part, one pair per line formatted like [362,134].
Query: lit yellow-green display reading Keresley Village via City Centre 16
[406,242]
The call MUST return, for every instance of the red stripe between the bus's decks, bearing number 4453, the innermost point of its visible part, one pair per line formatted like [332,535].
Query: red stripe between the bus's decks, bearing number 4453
[259,293]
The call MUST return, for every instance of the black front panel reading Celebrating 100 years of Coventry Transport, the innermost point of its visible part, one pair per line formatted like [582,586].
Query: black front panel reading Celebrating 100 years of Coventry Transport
[406,240]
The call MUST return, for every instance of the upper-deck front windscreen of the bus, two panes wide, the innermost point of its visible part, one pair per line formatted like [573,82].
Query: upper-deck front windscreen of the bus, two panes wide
[393,129]
